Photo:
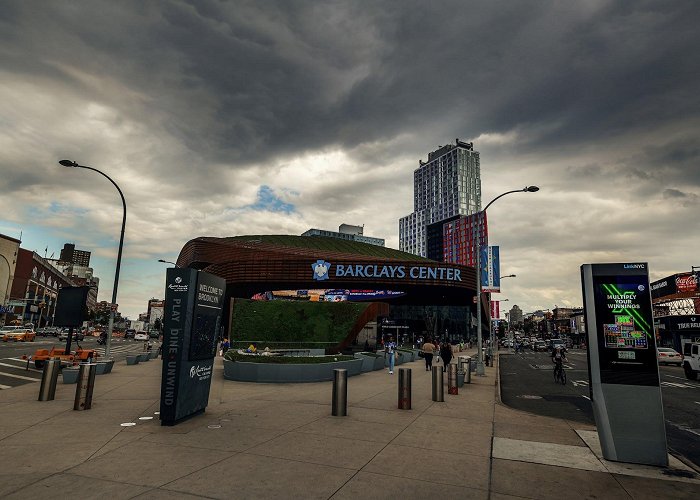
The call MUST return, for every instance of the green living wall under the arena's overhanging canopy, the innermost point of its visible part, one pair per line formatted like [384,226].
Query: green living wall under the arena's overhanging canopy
[280,323]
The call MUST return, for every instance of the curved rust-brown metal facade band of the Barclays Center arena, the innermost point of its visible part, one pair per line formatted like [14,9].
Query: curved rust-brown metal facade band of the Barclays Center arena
[253,264]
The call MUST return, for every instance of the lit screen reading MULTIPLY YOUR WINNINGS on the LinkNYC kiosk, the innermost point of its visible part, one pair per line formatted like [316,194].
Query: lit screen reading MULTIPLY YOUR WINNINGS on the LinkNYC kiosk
[626,342]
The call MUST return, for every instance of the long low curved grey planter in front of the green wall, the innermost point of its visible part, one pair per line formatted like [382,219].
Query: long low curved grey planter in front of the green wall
[277,373]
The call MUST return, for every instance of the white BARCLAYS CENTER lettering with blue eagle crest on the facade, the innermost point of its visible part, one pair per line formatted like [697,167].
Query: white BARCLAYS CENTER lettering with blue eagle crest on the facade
[323,270]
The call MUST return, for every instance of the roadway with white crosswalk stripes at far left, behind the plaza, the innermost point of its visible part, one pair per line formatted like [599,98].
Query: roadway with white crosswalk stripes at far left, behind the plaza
[15,371]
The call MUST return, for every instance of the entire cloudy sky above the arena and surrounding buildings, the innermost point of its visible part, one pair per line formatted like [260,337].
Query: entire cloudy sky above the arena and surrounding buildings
[222,118]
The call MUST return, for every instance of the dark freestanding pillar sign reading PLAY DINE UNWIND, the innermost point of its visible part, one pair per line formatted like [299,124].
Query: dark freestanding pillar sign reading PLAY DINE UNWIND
[192,316]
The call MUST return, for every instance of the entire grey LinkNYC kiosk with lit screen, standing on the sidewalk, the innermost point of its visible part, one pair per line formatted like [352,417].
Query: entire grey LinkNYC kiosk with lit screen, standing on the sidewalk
[623,371]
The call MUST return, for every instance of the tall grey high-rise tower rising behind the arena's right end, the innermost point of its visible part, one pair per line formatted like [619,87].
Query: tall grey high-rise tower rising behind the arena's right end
[446,188]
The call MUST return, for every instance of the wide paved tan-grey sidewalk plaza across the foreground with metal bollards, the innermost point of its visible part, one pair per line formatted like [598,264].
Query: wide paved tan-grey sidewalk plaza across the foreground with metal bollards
[280,441]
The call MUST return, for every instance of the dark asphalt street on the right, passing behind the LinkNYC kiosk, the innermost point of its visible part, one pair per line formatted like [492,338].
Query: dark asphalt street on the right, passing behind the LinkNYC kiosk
[527,384]
